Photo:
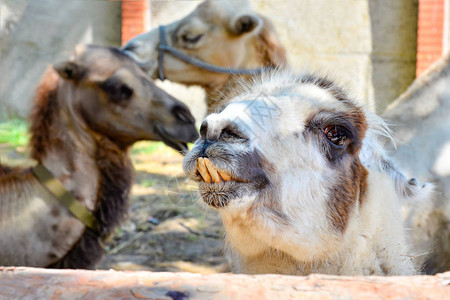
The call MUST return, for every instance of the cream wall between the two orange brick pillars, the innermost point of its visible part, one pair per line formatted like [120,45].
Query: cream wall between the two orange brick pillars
[369,46]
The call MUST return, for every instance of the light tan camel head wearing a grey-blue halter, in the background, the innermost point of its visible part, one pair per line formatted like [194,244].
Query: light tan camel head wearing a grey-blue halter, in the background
[222,33]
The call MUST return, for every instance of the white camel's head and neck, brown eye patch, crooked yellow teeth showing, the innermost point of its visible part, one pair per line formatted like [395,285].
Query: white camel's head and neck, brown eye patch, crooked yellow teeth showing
[282,165]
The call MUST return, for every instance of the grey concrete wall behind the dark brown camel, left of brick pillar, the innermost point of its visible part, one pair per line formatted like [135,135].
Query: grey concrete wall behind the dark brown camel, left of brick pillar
[36,33]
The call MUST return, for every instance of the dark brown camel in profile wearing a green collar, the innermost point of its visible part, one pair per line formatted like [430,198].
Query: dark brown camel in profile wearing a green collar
[87,113]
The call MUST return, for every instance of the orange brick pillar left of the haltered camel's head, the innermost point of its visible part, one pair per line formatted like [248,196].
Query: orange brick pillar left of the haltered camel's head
[134,18]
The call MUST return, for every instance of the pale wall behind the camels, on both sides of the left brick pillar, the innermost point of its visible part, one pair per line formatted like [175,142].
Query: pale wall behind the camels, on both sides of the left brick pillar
[367,45]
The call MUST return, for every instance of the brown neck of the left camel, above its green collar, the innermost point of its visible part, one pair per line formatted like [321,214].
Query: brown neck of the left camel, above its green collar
[83,161]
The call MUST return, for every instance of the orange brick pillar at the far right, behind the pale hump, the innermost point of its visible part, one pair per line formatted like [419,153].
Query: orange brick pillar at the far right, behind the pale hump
[430,35]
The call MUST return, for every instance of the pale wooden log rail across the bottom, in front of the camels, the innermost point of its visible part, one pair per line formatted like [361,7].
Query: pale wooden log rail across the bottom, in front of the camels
[31,283]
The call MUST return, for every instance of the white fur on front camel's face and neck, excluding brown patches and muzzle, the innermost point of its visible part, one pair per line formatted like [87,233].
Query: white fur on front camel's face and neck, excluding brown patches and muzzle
[374,240]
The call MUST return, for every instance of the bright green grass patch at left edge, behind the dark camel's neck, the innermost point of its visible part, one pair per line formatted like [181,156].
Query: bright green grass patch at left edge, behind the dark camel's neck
[14,132]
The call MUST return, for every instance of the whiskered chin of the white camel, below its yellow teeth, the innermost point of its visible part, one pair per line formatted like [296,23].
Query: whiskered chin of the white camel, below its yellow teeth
[218,195]
